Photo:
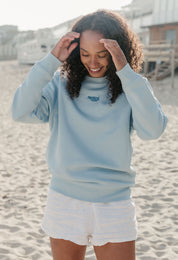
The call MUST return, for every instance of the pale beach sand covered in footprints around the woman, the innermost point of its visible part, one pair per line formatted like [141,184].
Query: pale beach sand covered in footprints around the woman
[24,180]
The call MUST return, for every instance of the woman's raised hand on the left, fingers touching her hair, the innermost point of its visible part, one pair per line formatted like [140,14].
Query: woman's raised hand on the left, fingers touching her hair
[63,49]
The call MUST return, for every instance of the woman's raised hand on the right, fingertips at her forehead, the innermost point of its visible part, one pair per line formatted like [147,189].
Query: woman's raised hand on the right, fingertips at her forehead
[117,54]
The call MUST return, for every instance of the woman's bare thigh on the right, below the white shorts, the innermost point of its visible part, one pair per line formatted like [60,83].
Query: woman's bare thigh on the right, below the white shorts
[116,251]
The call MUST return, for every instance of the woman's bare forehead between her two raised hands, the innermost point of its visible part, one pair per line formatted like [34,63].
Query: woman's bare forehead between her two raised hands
[89,40]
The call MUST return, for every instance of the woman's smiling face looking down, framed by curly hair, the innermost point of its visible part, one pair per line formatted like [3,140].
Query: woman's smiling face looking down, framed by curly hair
[93,54]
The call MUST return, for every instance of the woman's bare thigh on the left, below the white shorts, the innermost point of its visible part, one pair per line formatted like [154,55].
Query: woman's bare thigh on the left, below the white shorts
[67,250]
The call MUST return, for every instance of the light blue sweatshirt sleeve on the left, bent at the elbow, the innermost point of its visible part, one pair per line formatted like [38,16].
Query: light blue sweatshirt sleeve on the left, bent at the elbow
[32,100]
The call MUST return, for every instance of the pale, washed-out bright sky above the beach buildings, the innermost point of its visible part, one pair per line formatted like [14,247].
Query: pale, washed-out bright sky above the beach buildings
[36,14]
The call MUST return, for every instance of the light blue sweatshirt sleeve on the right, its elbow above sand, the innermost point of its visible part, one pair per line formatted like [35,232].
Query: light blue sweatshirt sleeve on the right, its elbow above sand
[148,118]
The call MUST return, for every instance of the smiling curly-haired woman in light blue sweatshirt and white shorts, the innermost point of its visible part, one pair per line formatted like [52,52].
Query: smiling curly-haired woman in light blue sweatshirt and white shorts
[92,105]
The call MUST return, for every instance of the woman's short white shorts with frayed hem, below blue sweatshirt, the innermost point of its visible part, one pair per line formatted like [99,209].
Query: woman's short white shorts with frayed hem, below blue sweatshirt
[87,223]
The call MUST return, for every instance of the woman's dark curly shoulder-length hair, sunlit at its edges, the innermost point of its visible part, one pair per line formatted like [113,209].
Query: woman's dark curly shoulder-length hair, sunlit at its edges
[112,26]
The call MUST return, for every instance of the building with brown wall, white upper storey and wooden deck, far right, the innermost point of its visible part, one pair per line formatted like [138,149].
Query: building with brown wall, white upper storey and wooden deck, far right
[162,51]
